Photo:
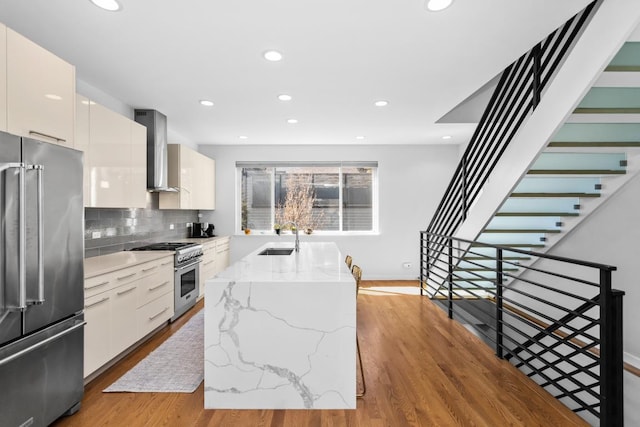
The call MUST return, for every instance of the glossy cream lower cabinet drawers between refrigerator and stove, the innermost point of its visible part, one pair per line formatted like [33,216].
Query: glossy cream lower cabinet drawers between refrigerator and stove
[124,305]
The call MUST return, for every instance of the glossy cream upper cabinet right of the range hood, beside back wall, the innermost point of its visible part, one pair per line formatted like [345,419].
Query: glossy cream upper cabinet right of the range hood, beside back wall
[193,174]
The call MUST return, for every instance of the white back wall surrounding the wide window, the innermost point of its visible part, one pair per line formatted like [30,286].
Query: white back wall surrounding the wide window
[412,180]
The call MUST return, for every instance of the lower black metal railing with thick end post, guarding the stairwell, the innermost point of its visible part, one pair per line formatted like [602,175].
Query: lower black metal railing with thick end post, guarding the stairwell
[557,319]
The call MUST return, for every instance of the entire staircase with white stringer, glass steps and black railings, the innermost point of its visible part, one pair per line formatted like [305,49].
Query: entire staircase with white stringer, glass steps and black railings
[513,197]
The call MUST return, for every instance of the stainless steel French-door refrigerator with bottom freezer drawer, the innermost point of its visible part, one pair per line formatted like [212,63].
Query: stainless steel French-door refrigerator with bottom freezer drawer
[41,281]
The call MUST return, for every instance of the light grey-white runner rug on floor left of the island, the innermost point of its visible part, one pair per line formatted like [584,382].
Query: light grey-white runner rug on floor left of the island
[177,366]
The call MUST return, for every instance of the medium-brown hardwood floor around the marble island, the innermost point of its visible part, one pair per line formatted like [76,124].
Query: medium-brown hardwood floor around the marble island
[421,369]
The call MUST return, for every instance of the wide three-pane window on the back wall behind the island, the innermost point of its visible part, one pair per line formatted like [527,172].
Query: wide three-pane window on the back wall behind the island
[325,197]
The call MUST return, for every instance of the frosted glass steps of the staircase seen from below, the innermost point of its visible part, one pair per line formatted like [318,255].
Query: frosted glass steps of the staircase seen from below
[592,155]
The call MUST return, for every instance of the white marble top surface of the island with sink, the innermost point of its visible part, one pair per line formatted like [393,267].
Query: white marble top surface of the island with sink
[316,262]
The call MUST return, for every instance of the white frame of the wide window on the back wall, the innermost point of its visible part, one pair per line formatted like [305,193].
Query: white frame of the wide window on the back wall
[375,211]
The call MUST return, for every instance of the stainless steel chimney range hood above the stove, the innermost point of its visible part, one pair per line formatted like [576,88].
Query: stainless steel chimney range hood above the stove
[157,160]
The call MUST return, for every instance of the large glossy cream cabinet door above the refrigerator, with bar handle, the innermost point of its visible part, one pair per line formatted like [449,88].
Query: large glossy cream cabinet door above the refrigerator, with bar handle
[40,92]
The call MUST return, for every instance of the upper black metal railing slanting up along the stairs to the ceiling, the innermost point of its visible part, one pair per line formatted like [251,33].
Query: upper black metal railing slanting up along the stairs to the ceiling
[517,94]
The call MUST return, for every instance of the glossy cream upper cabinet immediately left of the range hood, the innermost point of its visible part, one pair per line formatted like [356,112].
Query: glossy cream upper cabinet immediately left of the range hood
[115,159]
